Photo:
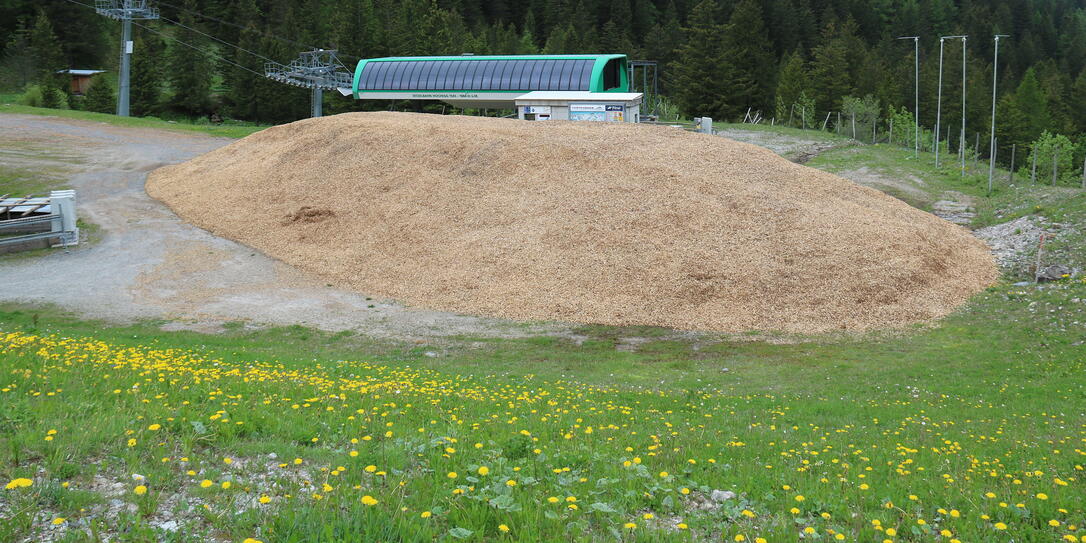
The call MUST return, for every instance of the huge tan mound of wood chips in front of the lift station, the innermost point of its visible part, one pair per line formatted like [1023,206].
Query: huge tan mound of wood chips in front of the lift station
[578,222]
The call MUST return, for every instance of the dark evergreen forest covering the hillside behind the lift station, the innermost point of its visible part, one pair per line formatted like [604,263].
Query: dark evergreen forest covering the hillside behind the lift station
[718,58]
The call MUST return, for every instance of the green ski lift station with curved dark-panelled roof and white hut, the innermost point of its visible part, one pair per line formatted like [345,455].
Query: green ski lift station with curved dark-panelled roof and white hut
[562,87]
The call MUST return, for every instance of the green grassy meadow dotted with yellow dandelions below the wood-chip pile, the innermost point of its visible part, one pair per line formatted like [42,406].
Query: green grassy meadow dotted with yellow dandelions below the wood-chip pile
[895,428]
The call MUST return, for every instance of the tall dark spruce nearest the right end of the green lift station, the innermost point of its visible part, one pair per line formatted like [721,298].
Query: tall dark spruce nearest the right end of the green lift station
[701,77]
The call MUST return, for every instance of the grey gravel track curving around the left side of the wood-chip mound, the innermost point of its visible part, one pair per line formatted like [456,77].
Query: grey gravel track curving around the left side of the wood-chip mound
[150,266]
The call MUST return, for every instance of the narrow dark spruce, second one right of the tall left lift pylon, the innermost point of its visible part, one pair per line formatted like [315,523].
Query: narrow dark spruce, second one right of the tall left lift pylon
[191,70]
